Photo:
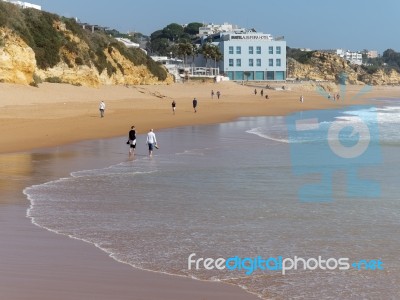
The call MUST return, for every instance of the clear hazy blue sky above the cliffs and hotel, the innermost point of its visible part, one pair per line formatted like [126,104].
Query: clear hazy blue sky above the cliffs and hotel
[315,24]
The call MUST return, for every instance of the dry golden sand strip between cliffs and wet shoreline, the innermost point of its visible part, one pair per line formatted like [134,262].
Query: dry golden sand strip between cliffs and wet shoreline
[56,114]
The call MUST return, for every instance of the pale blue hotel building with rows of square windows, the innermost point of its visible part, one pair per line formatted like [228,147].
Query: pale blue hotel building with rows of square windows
[250,55]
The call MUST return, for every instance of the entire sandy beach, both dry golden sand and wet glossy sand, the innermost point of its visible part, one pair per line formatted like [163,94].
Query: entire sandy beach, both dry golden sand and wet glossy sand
[39,126]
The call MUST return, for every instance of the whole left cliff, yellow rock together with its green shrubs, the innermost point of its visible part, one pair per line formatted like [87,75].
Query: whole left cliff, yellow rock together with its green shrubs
[37,46]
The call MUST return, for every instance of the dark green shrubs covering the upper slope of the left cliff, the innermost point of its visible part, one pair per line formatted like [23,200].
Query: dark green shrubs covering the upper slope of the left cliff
[40,31]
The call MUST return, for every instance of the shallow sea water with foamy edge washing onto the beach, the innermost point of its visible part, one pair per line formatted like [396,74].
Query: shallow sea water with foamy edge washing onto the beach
[230,190]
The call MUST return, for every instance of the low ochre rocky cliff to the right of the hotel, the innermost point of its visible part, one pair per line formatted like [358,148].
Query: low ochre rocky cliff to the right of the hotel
[329,67]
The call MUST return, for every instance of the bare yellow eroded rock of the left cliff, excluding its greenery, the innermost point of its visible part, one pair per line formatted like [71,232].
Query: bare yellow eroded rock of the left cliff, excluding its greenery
[18,65]
